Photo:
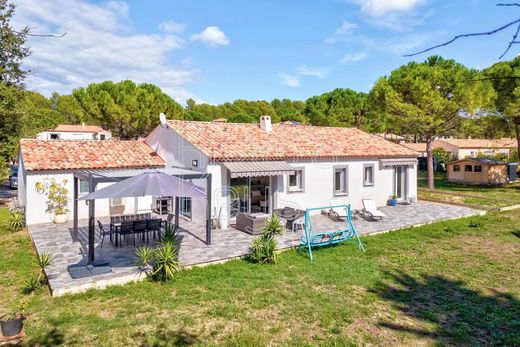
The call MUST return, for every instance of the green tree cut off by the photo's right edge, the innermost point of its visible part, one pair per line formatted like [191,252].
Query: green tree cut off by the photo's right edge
[505,77]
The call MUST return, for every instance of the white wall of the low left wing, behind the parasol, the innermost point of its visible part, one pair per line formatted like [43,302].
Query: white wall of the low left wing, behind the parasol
[37,203]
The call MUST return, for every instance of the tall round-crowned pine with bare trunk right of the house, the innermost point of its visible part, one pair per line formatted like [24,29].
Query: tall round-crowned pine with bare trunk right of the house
[429,98]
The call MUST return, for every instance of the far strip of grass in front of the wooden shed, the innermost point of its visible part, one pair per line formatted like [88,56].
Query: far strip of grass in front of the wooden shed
[487,196]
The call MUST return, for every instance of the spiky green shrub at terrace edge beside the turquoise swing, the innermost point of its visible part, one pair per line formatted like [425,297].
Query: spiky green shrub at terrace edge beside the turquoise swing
[263,248]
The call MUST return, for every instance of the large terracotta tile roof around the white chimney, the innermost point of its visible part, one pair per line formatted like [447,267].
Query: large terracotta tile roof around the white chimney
[237,141]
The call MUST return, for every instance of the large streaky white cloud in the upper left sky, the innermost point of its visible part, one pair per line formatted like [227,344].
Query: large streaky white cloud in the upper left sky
[99,45]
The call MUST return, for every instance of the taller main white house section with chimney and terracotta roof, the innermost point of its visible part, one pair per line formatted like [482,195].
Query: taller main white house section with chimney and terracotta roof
[262,167]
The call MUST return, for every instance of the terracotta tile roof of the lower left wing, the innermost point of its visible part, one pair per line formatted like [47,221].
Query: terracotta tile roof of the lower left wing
[74,154]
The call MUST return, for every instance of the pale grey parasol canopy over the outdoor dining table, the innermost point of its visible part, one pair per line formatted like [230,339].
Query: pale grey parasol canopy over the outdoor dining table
[151,183]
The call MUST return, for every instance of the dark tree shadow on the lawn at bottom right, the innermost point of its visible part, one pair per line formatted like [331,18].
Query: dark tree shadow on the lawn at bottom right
[459,315]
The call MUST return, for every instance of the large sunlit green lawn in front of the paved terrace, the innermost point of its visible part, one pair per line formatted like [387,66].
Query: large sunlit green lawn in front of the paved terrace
[455,282]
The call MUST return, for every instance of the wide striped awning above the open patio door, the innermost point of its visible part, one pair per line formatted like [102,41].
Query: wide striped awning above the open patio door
[257,168]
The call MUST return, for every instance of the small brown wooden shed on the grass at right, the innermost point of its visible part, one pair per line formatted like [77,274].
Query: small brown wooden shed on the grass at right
[477,171]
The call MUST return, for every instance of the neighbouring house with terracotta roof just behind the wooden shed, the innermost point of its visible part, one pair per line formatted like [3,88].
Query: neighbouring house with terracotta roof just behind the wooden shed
[471,148]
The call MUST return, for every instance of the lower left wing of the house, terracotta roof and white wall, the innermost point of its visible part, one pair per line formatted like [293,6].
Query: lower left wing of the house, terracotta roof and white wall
[41,160]
